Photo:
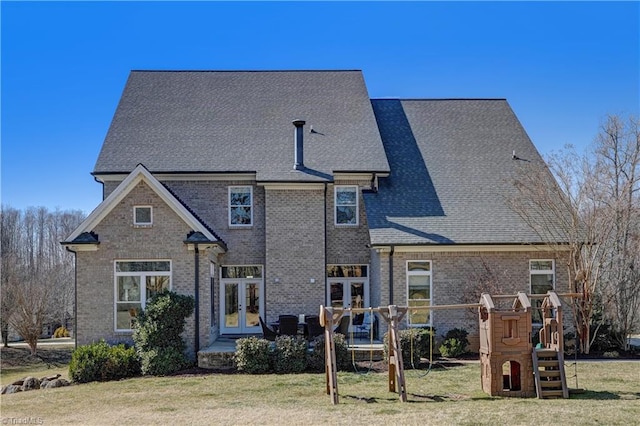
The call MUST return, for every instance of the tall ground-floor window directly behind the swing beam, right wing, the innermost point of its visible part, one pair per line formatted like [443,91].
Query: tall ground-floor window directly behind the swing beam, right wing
[419,291]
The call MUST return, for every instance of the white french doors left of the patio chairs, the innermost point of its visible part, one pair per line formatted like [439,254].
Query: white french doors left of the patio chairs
[241,305]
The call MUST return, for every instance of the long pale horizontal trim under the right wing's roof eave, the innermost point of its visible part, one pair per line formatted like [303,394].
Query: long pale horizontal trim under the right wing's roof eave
[461,248]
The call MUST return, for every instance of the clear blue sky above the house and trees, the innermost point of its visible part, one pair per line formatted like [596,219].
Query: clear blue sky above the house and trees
[562,66]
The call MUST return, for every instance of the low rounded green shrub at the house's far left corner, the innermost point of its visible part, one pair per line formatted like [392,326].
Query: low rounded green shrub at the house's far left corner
[101,362]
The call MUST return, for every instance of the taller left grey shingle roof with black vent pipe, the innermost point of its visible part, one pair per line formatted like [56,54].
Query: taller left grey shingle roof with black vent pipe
[240,121]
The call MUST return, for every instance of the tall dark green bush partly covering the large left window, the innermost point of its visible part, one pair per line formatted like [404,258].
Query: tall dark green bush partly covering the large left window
[158,331]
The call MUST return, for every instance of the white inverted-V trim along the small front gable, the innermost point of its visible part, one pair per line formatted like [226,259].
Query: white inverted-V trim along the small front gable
[139,174]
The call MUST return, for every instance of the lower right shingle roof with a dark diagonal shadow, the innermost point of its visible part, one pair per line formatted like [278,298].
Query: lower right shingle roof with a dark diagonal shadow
[452,168]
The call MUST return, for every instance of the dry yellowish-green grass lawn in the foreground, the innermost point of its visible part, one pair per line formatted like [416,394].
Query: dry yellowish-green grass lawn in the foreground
[443,397]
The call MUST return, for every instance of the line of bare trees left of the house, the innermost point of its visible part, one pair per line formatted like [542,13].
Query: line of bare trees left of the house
[37,272]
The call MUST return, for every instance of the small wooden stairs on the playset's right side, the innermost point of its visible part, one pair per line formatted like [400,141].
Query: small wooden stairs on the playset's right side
[548,368]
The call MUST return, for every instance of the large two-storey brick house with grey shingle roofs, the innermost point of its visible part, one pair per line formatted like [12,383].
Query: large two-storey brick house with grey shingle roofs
[270,192]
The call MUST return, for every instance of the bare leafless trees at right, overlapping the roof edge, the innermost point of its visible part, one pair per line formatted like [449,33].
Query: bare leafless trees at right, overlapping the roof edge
[583,206]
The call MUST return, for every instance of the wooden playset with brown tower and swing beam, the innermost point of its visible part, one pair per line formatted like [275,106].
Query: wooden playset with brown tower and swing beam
[510,366]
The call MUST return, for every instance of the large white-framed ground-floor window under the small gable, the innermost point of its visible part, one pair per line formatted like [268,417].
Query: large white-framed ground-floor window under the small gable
[135,283]
